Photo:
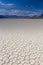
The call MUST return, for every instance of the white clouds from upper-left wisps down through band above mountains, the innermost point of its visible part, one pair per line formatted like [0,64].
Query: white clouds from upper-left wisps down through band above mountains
[8,9]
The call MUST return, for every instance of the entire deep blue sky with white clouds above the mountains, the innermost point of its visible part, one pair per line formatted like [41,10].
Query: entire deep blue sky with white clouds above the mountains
[21,7]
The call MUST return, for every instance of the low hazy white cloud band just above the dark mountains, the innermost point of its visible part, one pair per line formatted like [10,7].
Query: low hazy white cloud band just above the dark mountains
[18,12]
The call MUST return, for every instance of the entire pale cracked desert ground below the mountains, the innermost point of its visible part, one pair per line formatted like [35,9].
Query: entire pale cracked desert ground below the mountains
[21,41]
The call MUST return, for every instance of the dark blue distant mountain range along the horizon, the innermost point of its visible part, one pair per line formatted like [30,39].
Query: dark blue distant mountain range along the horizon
[28,17]
